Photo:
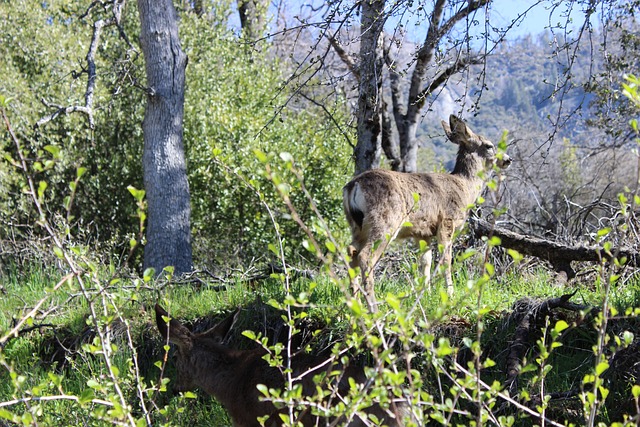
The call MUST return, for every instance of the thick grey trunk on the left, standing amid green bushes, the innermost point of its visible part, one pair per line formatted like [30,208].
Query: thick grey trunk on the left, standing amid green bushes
[165,174]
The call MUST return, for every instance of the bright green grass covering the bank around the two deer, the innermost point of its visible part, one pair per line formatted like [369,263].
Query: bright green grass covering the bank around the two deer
[29,362]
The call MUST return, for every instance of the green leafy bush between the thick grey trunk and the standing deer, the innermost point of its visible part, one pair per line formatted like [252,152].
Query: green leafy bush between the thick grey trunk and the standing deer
[229,114]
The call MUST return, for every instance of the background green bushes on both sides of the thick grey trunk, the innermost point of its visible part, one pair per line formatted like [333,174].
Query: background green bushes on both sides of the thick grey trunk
[231,109]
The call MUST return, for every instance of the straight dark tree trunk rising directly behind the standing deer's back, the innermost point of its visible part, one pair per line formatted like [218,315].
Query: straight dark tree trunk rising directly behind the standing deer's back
[367,150]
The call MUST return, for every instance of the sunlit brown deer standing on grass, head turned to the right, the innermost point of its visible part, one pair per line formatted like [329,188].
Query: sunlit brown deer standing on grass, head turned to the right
[382,205]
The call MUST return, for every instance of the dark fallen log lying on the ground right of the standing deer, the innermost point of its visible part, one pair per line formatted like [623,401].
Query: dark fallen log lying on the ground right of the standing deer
[557,254]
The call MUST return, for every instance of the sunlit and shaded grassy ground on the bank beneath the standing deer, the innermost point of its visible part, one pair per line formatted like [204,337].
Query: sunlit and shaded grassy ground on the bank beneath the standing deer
[56,352]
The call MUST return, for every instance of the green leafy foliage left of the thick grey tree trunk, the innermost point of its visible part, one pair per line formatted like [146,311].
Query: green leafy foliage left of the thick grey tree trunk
[36,69]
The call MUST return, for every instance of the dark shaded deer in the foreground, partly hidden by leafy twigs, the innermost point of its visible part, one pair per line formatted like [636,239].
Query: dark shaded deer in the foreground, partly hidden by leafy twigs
[203,360]
